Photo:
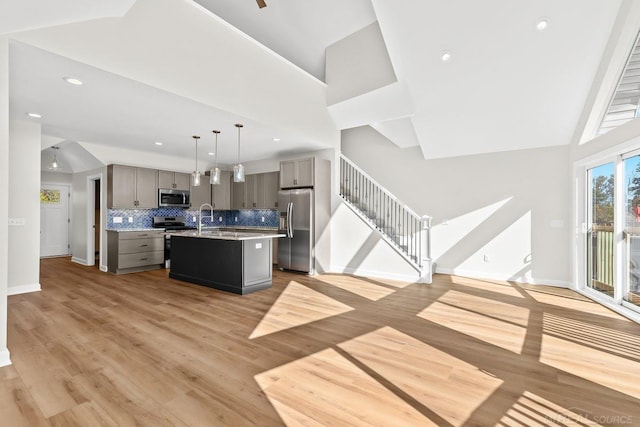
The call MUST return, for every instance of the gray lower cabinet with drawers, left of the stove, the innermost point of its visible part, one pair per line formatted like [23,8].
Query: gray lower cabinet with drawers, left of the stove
[133,251]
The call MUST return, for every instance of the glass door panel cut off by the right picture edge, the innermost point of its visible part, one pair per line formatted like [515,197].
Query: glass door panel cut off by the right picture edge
[631,288]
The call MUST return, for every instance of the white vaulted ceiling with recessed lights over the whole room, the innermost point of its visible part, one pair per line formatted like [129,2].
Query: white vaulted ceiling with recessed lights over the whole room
[168,69]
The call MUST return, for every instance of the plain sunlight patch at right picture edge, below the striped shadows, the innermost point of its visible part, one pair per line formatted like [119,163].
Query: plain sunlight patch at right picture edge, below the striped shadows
[612,371]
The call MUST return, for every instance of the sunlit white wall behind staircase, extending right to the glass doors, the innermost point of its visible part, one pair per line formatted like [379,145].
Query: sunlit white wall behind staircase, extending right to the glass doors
[513,207]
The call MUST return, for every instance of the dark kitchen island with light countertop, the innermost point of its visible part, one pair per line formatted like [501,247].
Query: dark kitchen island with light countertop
[233,261]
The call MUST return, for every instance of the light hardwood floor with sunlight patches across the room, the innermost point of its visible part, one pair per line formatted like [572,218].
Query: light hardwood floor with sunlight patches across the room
[141,349]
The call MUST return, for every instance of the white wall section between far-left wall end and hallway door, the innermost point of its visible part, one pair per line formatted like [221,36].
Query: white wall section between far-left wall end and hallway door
[24,193]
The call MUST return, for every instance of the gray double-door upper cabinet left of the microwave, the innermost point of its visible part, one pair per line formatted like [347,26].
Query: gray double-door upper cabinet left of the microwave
[131,187]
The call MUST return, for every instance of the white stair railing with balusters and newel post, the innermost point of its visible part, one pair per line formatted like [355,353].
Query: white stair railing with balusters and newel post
[404,230]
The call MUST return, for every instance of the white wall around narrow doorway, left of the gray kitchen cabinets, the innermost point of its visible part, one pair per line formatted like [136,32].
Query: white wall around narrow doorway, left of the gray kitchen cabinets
[79,215]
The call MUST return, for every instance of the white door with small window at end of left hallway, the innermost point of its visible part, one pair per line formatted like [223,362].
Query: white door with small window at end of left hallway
[54,220]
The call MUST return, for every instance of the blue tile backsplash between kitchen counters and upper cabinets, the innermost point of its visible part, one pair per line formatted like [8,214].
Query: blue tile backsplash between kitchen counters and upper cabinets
[143,218]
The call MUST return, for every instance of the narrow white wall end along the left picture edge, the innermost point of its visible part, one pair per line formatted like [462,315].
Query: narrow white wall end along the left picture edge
[4,195]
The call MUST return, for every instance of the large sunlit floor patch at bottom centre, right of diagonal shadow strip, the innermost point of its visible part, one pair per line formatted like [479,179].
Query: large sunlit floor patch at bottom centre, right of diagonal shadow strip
[441,383]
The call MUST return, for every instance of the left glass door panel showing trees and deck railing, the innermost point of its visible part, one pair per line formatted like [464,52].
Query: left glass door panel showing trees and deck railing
[600,241]
